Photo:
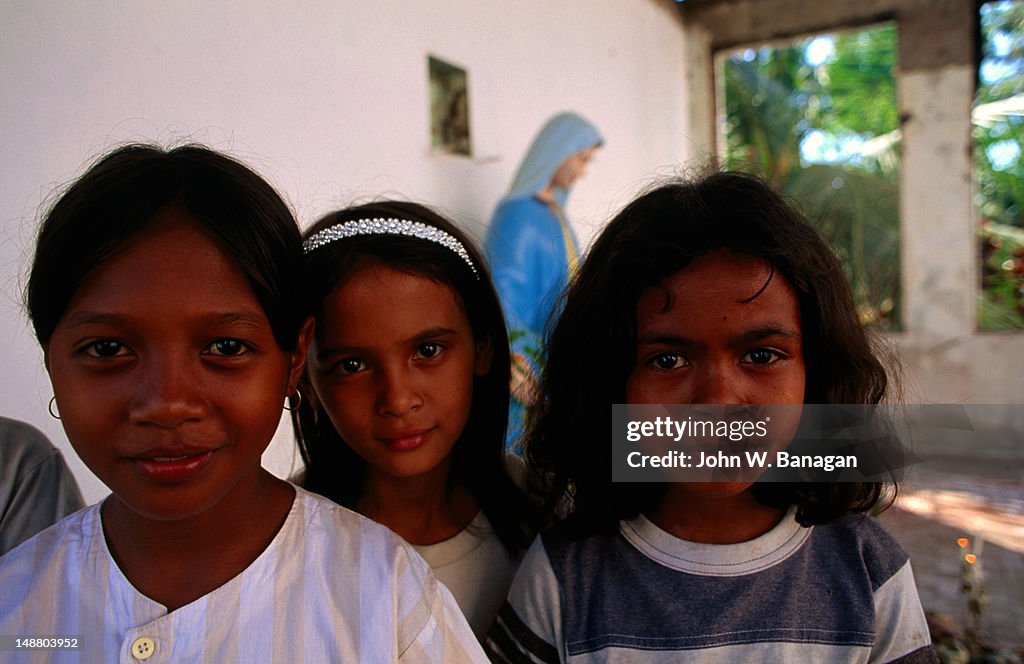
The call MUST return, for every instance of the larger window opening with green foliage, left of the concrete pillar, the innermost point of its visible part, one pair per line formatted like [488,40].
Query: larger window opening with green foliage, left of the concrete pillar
[819,118]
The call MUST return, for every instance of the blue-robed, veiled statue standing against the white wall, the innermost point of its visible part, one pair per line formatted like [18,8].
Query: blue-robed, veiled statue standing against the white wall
[533,251]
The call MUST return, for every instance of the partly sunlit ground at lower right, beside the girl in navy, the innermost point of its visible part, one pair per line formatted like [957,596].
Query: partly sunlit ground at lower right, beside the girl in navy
[963,525]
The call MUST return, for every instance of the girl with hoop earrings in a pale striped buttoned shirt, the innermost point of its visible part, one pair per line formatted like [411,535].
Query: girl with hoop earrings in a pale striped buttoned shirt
[167,294]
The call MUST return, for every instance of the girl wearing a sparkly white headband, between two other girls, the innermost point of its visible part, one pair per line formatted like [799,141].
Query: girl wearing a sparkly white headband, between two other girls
[409,373]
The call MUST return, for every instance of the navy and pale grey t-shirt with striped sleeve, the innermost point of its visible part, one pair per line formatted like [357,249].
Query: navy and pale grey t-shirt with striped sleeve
[840,593]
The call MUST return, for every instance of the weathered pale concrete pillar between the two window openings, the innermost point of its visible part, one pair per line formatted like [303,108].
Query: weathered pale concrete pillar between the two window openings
[935,89]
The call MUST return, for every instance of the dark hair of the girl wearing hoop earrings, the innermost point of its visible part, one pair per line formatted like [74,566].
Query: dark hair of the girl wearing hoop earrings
[104,212]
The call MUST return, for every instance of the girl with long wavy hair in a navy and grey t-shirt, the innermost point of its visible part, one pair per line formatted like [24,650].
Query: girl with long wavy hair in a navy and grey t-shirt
[703,294]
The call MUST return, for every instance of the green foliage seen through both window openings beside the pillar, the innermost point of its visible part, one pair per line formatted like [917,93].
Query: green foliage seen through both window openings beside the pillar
[820,119]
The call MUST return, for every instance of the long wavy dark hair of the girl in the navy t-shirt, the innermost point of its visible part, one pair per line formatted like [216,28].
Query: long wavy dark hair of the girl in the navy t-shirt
[592,349]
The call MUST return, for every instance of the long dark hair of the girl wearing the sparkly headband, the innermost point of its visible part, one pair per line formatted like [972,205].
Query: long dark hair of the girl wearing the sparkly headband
[333,469]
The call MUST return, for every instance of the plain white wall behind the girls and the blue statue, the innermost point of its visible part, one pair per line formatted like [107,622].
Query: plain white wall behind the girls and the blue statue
[328,100]
